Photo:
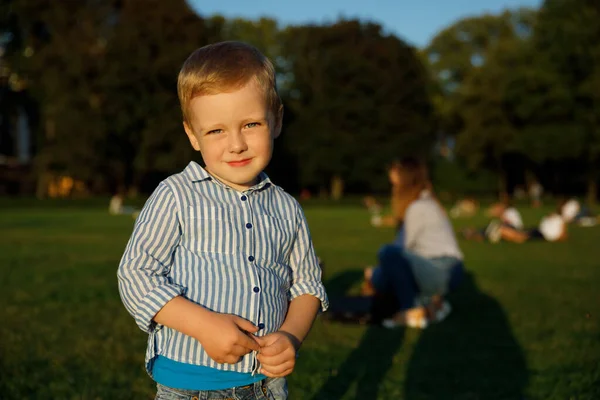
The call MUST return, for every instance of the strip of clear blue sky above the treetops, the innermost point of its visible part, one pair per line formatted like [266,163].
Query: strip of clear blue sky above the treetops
[416,21]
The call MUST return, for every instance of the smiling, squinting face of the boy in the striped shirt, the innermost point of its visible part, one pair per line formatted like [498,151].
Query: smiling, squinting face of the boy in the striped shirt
[234,132]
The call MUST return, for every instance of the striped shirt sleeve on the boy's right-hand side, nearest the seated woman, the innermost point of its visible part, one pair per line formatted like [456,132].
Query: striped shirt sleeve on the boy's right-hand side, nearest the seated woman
[305,265]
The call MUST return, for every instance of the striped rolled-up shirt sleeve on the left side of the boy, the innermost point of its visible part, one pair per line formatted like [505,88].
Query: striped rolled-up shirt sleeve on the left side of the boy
[143,279]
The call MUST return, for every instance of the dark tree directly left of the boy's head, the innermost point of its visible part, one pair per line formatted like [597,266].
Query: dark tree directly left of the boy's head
[149,43]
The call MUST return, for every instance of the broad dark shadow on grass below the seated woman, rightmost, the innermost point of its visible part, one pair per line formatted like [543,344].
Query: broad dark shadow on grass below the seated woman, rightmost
[472,355]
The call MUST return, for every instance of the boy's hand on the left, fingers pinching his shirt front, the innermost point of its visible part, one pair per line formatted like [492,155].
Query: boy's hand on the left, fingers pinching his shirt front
[226,338]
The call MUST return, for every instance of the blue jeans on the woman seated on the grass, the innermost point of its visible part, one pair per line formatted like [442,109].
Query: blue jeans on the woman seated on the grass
[407,275]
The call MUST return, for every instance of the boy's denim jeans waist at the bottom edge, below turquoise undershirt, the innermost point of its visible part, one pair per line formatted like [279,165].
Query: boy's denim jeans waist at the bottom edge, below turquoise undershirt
[267,389]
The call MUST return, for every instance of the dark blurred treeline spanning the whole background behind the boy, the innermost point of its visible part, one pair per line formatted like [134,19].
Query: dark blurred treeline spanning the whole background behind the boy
[515,94]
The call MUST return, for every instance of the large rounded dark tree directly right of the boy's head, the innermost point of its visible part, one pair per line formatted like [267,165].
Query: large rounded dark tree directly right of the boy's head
[355,99]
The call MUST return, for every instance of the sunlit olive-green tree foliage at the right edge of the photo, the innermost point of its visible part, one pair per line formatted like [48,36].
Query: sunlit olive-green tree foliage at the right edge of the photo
[524,83]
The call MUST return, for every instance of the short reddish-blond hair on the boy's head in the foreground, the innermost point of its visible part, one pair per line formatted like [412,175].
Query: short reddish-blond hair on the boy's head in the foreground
[223,67]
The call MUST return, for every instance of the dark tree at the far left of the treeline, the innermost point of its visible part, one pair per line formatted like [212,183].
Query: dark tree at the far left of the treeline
[57,59]
